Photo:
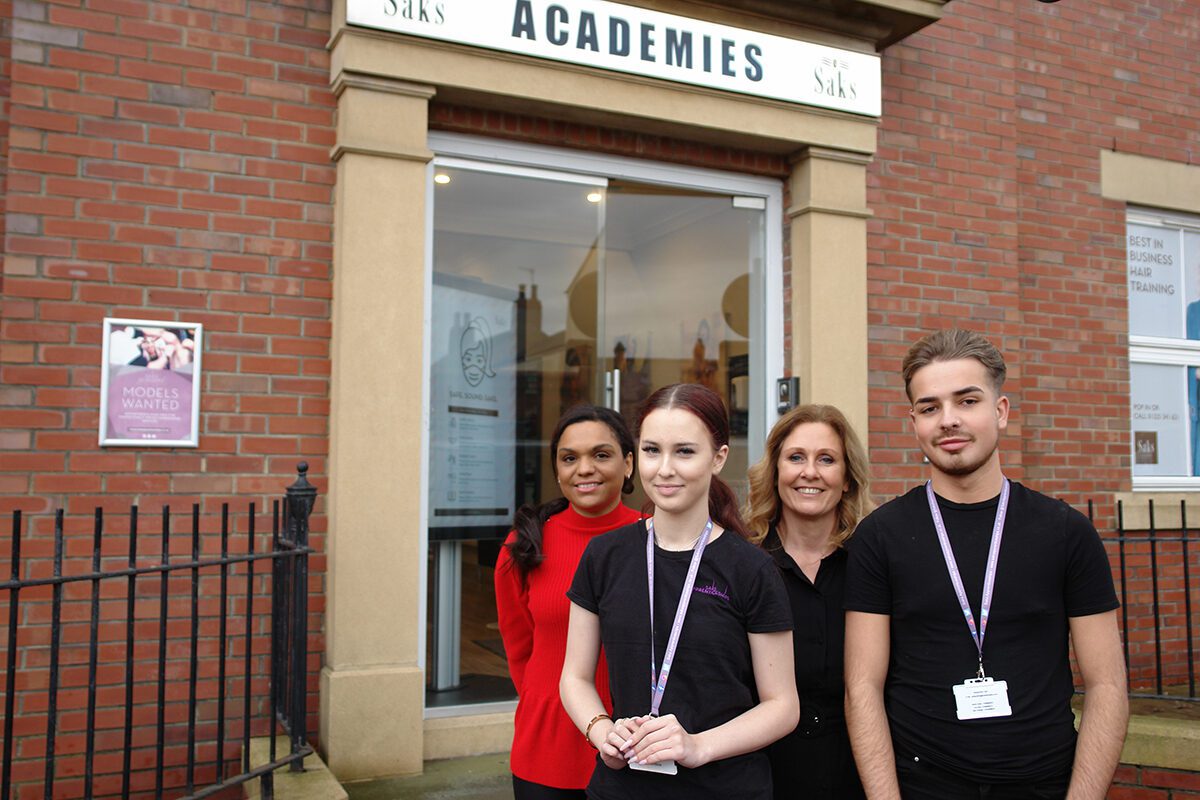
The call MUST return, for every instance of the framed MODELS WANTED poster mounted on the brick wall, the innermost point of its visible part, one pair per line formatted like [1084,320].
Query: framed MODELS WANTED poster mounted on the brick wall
[151,384]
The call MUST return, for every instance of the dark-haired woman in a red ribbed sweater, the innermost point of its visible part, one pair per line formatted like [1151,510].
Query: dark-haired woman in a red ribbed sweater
[593,456]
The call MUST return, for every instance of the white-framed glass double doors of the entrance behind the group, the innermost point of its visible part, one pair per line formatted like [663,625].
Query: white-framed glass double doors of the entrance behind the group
[561,279]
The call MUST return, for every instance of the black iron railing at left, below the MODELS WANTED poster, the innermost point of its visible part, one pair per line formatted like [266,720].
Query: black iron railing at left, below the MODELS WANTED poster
[283,701]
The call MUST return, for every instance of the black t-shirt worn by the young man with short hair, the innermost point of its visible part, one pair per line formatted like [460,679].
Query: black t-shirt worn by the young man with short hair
[1052,567]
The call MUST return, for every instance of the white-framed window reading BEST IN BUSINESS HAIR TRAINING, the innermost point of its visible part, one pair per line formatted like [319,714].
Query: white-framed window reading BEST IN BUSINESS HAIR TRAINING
[1163,260]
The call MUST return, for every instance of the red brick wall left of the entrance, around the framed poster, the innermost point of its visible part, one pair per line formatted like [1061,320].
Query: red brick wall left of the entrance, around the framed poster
[161,161]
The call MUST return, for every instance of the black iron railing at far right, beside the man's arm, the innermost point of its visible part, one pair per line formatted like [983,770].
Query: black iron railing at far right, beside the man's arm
[1155,570]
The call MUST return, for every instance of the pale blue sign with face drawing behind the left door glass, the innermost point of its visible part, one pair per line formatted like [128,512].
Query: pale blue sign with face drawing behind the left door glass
[472,407]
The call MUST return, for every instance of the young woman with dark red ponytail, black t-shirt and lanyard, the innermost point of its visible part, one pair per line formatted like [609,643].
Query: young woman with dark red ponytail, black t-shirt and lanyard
[686,593]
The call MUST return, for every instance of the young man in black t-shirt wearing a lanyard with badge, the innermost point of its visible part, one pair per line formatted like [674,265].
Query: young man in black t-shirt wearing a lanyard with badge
[961,599]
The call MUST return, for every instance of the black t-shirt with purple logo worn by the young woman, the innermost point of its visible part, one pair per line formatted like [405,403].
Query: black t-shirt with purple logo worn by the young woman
[737,592]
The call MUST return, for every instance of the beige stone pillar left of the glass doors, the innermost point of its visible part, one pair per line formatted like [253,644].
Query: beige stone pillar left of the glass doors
[373,685]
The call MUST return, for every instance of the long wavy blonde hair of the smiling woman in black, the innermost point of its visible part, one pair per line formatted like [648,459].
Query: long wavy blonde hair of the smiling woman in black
[764,507]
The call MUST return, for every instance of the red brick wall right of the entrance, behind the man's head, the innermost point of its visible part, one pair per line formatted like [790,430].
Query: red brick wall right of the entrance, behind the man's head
[986,193]
